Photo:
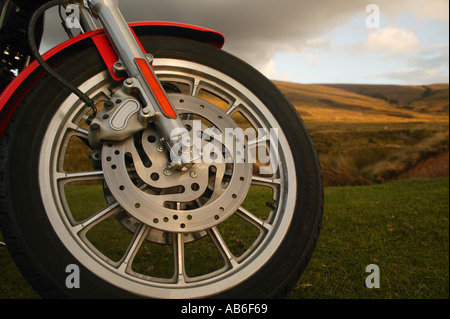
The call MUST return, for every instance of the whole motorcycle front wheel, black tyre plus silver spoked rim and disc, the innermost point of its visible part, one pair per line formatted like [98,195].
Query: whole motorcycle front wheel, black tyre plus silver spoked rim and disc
[49,199]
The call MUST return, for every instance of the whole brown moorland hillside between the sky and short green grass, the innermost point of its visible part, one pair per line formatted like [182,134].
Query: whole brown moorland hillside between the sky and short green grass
[367,134]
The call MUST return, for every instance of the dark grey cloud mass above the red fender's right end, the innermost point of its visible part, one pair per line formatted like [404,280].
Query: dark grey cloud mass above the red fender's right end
[255,30]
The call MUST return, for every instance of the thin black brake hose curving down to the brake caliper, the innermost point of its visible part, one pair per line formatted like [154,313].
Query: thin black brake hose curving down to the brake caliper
[35,51]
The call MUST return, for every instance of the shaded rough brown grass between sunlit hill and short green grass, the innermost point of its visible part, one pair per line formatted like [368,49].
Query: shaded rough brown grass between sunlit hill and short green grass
[363,157]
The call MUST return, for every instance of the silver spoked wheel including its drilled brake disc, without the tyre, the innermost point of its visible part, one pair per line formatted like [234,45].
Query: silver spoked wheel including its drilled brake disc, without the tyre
[173,209]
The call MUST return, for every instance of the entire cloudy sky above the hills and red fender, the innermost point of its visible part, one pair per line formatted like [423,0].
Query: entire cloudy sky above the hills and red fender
[404,42]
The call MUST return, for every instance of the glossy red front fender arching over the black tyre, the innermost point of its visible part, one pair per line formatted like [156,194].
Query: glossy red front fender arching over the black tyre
[11,97]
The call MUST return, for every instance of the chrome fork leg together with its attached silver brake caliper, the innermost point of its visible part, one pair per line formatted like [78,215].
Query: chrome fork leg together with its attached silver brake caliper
[154,106]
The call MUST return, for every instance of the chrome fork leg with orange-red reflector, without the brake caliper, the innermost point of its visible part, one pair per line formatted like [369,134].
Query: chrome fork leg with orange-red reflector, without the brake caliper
[157,107]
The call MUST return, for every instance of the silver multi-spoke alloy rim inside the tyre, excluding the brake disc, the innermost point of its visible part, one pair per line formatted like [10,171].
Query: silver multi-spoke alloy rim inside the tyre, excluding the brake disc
[53,179]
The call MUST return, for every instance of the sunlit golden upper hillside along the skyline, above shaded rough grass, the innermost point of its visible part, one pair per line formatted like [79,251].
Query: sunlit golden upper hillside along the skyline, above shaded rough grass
[369,103]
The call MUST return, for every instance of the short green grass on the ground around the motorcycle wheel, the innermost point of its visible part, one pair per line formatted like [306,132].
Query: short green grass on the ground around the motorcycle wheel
[401,226]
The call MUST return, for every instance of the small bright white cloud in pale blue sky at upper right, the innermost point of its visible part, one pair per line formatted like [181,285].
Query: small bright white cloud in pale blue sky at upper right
[394,40]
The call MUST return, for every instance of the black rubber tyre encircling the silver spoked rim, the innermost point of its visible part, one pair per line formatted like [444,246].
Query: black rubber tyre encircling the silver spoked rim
[34,245]
